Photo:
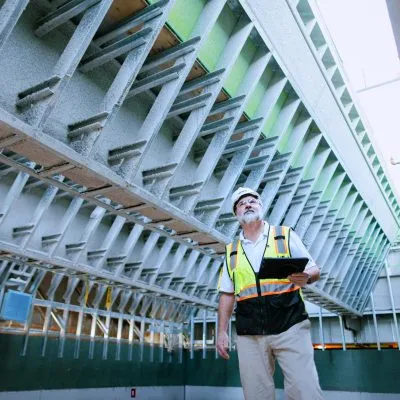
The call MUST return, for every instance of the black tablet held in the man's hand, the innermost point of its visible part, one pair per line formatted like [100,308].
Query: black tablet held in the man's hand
[281,268]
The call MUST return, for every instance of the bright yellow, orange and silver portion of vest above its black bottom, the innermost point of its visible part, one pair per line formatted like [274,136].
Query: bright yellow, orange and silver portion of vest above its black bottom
[242,274]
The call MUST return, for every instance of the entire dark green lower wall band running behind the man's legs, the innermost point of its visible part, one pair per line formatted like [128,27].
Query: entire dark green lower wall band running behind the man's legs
[354,370]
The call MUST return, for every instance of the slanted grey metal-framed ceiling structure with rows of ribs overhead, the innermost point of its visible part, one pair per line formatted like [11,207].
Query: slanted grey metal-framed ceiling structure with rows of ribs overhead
[126,125]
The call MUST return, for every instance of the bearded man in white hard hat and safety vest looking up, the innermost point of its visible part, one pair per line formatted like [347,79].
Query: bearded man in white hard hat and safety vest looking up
[271,320]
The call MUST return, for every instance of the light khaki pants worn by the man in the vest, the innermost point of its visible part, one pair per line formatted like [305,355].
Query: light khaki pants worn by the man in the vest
[295,354]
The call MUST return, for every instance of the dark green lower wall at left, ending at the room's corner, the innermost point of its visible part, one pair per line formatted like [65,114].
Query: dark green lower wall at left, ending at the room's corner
[51,372]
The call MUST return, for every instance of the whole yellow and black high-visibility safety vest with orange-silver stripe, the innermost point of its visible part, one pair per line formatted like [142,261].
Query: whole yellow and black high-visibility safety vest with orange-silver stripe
[264,306]
